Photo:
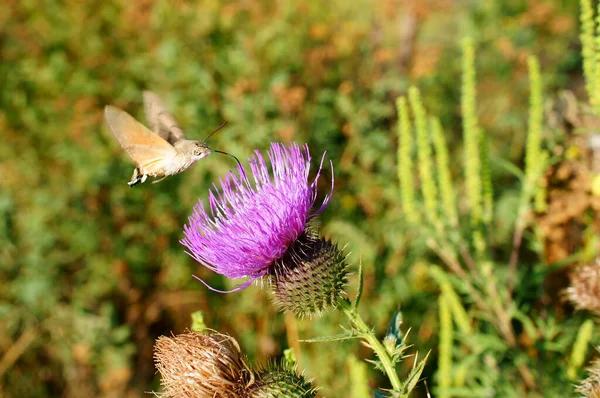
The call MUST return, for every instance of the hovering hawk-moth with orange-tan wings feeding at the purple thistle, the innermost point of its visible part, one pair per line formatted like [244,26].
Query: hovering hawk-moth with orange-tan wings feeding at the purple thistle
[162,152]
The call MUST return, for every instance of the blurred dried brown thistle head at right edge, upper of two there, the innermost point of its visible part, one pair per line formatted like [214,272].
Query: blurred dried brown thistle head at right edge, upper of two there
[584,290]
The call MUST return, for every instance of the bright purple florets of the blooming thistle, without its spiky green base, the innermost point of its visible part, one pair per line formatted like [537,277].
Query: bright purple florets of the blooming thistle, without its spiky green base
[254,220]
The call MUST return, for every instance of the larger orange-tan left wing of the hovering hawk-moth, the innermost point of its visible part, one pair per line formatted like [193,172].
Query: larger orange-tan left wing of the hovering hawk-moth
[143,147]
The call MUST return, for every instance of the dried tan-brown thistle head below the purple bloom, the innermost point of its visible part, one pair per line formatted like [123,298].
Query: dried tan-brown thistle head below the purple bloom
[198,365]
